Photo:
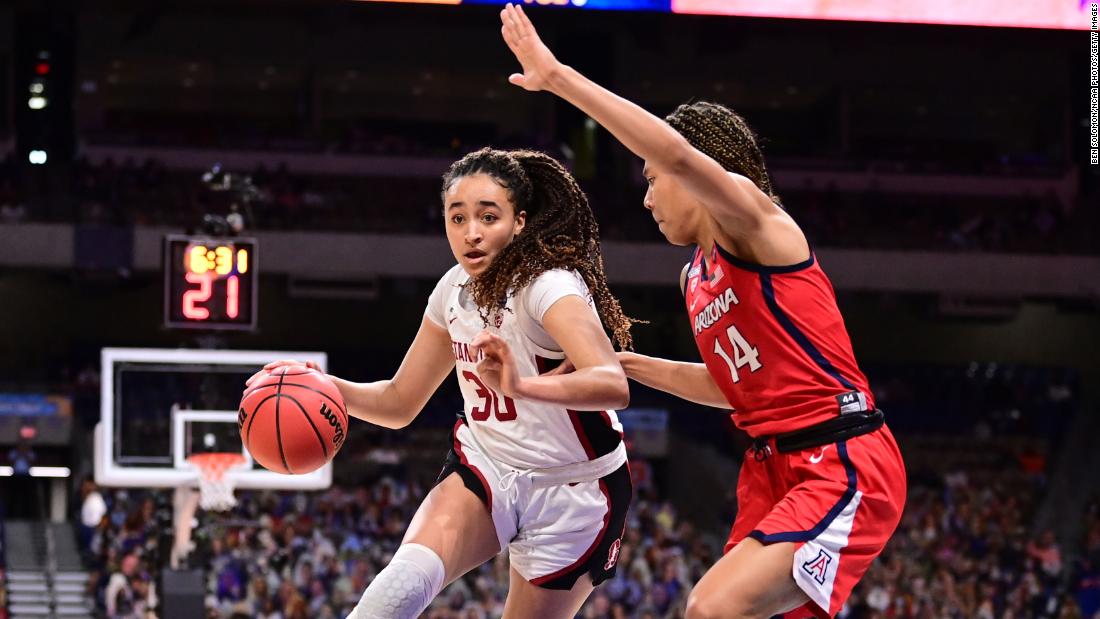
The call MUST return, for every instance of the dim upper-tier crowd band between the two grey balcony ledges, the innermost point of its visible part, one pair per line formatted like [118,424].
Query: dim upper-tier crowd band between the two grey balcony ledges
[147,194]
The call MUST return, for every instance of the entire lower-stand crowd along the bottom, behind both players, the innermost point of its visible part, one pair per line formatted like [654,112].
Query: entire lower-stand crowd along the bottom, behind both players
[964,549]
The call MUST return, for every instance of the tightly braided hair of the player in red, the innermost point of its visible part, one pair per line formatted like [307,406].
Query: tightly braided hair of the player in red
[723,136]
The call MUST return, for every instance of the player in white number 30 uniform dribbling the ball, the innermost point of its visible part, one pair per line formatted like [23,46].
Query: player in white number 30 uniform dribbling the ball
[538,466]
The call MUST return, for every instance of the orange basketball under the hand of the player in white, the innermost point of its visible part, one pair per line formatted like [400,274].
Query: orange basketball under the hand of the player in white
[294,421]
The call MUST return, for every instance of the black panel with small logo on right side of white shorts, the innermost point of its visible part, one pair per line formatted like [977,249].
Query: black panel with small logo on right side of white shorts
[601,560]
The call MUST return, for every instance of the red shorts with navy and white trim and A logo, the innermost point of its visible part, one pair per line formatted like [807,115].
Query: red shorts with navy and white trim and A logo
[840,504]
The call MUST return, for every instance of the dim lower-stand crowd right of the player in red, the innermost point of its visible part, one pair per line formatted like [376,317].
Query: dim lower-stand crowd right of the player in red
[965,548]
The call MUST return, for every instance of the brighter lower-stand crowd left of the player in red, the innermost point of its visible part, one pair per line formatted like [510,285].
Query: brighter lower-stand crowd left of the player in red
[294,555]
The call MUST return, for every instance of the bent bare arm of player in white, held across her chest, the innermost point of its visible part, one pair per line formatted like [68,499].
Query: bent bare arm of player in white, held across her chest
[599,382]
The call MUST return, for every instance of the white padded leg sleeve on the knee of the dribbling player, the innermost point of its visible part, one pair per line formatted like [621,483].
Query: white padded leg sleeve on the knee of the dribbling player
[405,588]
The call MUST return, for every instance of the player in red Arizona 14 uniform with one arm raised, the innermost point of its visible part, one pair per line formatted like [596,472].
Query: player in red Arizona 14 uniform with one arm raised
[823,489]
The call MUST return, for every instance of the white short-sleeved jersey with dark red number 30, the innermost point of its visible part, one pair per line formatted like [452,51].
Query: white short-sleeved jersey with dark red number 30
[523,435]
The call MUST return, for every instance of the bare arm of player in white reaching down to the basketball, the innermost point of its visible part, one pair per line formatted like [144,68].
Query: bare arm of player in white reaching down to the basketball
[395,403]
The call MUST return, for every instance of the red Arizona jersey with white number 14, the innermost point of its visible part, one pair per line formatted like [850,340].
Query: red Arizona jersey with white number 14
[775,342]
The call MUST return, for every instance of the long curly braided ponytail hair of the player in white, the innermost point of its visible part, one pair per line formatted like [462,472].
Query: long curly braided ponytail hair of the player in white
[562,233]
